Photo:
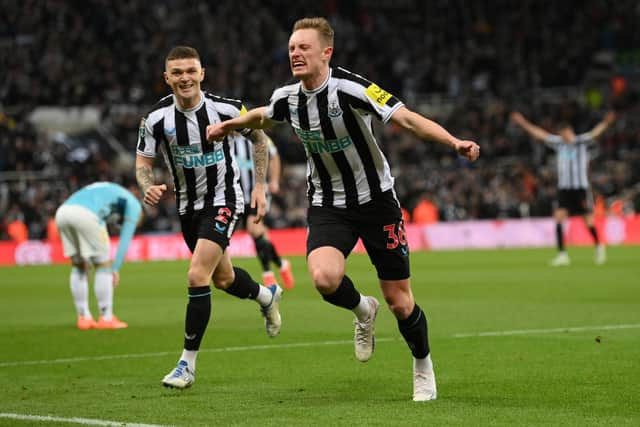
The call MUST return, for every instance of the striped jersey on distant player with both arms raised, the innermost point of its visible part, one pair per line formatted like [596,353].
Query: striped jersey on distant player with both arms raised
[572,160]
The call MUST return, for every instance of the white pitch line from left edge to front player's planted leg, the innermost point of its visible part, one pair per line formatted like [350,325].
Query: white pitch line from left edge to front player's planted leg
[169,353]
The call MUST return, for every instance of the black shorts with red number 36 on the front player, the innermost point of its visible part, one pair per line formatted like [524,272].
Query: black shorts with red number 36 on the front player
[378,223]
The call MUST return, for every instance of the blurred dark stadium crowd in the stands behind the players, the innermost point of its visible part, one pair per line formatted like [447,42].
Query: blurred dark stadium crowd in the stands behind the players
[466,64]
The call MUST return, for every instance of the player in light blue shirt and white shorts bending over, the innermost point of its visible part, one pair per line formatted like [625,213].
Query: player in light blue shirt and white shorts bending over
[82,222]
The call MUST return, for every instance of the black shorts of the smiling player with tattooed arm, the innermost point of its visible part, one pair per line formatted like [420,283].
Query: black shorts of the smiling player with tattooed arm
[215,223]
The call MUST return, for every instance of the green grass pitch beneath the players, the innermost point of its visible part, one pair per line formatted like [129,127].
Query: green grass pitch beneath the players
[561,378]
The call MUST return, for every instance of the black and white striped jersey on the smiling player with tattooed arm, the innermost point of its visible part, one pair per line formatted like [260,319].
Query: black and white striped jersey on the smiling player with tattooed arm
[204,174]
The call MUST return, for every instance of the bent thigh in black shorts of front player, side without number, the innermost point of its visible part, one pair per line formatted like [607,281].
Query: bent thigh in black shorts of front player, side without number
[330,227]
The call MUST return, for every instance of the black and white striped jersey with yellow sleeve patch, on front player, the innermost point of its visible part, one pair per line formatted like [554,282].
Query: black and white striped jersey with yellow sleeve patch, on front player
[345,166]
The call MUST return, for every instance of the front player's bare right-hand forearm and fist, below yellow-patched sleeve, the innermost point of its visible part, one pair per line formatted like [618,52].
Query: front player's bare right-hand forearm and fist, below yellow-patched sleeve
[424,128]
